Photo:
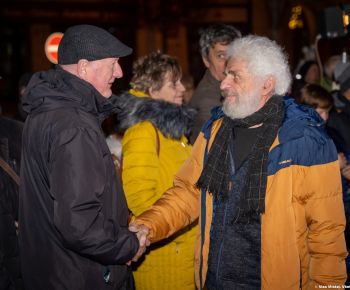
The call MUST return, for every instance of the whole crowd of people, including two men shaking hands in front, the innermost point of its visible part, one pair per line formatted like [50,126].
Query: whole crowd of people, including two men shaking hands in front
[240,182]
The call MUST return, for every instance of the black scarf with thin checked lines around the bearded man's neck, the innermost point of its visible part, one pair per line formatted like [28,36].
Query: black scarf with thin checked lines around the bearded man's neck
[216,174]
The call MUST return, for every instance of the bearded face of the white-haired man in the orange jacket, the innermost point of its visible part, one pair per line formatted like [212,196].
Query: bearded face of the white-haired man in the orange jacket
[241,90]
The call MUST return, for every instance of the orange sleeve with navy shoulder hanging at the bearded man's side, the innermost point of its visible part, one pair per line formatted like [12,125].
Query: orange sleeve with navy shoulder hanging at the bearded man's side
[321,190]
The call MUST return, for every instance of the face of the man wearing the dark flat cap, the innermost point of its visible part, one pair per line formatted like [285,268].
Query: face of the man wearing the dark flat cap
[102,73]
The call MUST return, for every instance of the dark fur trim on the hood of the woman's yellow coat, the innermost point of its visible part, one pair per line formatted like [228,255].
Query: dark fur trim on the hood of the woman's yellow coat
[172,120]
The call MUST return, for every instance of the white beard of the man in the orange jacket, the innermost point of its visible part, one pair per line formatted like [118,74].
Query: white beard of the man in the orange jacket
[243,106]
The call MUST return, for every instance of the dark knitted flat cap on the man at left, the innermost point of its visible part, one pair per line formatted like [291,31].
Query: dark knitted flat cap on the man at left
[91,43]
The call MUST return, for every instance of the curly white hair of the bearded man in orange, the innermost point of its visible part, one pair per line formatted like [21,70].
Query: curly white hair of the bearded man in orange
[264,58]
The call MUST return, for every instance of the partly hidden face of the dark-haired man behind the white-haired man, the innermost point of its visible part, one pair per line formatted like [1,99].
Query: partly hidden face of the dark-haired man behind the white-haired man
[215,61]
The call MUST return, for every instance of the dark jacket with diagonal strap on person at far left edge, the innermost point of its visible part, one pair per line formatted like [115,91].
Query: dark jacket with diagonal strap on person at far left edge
[10,152]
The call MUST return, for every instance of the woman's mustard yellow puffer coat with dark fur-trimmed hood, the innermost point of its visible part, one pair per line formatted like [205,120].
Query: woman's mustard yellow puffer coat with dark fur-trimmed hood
[154,148]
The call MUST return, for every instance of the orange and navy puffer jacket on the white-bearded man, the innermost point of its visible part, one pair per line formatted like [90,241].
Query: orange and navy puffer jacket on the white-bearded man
[302,229]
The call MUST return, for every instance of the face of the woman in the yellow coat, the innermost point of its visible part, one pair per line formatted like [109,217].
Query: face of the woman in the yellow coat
[171,91]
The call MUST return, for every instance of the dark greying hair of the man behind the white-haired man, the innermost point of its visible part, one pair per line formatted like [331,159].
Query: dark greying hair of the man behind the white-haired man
[217,33]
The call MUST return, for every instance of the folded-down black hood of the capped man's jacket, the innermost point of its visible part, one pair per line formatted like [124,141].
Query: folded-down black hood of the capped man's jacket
[57,88]
